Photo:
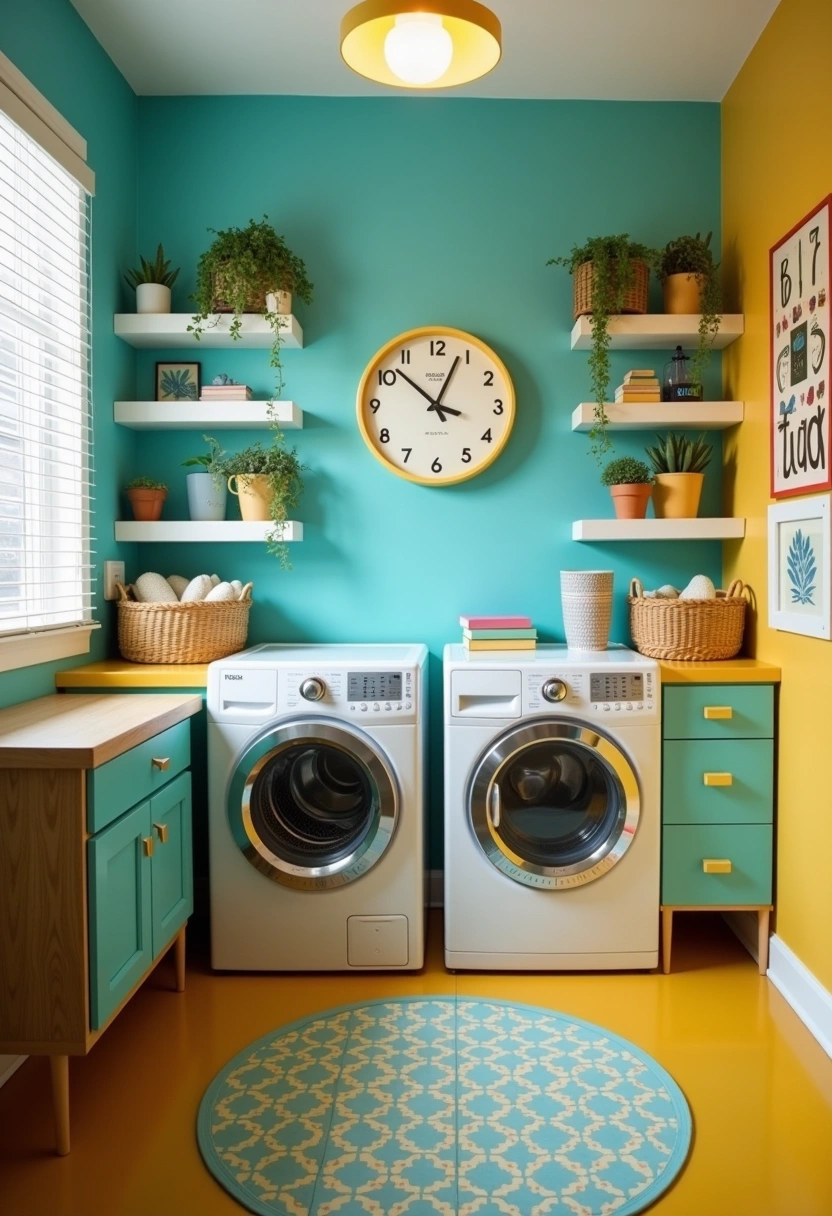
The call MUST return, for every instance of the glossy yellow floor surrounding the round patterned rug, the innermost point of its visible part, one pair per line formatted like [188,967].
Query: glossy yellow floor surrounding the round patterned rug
[760,1085]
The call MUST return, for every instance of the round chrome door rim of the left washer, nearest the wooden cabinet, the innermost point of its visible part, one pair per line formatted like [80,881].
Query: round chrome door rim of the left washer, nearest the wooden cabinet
[268,746]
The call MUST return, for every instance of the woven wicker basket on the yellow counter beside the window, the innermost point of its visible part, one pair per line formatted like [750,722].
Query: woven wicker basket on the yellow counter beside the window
[175,633]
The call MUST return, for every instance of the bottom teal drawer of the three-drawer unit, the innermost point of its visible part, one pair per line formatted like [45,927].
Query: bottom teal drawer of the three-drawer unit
[747,847]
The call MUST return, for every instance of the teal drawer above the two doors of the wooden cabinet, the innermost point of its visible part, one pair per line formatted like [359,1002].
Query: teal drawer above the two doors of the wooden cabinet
[134,776]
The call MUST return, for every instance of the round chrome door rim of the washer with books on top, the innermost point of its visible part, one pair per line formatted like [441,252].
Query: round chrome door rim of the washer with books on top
[492,763]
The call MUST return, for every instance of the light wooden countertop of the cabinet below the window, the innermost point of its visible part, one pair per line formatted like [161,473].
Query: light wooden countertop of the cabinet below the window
[86,731]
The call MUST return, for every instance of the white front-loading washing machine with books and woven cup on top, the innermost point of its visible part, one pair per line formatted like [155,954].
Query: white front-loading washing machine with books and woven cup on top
[553,796]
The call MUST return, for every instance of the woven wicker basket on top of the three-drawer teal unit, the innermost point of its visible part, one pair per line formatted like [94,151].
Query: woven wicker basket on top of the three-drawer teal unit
[689,629]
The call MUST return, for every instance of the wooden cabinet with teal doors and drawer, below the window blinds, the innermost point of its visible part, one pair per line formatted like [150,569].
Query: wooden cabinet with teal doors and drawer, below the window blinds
[95,872]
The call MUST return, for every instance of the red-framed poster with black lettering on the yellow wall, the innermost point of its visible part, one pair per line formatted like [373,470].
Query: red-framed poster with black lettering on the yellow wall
[801,426]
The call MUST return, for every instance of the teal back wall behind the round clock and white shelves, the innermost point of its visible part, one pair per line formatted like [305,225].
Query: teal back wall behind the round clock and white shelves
[417,212]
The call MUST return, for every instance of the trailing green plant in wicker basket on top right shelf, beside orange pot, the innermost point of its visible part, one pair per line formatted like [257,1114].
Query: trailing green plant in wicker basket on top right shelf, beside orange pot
[612,260]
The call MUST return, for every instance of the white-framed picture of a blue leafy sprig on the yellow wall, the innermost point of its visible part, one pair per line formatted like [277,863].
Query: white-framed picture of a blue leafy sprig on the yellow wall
[800,567]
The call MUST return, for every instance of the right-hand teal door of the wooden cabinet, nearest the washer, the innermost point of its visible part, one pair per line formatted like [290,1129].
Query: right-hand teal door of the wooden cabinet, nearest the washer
[172,863]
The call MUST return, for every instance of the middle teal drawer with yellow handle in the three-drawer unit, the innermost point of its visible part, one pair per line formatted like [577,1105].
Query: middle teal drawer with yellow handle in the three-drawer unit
[718,781]
